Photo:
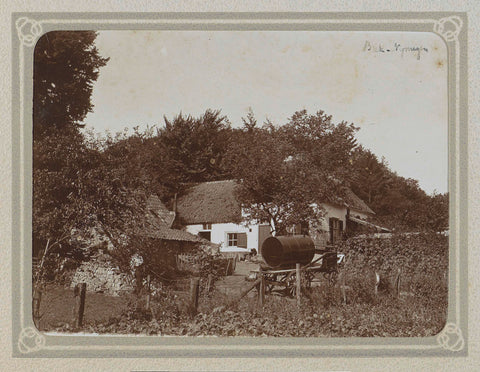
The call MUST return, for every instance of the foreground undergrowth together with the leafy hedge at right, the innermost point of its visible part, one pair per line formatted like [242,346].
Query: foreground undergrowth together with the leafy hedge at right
[419,310]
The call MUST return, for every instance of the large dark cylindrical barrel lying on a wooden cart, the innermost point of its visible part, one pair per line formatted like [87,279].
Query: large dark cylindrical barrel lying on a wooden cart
[286,251]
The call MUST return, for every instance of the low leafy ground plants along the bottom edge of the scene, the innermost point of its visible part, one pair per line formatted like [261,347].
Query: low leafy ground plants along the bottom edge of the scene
[280,317]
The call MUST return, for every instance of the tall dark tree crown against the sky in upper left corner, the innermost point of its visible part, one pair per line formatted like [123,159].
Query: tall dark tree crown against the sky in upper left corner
[66,63]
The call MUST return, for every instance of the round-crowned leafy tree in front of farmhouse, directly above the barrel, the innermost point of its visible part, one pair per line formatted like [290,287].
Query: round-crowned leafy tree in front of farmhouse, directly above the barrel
[286,173]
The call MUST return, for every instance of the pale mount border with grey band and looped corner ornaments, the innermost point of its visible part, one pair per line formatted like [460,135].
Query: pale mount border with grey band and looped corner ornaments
[29,342]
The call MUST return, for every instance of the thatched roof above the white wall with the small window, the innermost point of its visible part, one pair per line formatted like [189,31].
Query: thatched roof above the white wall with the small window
[210,202]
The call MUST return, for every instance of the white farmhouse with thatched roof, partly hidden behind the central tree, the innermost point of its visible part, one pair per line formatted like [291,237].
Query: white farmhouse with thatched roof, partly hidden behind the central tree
[211,210]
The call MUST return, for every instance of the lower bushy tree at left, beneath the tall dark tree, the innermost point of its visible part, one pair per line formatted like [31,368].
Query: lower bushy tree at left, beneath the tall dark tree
[76,188]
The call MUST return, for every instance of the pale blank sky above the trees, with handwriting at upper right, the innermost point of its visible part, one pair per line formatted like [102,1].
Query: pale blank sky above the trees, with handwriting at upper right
[398,98]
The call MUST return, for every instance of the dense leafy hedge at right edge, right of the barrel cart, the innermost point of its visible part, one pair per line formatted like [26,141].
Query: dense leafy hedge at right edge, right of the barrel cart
[421,258]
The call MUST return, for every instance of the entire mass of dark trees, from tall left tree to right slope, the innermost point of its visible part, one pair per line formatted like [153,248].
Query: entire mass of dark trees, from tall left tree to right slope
[284,169]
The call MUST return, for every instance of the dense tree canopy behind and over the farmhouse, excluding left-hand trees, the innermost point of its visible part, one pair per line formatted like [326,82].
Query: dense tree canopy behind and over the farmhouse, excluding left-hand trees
[284,170]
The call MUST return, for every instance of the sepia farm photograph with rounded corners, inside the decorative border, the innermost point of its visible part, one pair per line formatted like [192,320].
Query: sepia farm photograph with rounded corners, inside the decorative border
[240,183]
